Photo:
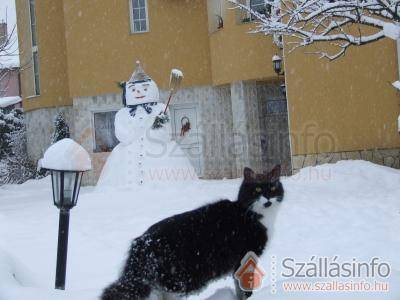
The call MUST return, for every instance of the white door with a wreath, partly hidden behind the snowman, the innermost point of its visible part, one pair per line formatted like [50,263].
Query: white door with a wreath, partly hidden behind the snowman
[185,128]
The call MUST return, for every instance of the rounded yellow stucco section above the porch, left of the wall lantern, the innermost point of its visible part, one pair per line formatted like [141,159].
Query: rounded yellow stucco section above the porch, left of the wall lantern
[237,55]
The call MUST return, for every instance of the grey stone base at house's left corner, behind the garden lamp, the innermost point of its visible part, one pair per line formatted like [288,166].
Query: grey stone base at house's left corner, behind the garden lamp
[40,128]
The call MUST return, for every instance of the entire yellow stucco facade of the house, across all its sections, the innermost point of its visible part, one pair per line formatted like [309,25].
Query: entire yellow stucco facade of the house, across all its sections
[86,46]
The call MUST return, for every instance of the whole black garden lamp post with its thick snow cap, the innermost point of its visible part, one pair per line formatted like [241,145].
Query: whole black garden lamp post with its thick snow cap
[66,161]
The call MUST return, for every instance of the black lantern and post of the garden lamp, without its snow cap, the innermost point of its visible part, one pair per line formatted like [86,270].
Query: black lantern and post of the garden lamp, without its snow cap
[66,186]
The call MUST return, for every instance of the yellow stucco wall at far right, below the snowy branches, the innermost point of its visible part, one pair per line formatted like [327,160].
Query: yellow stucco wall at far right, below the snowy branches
[348,104]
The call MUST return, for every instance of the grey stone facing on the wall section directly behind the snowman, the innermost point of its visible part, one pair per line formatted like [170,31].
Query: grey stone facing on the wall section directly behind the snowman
[215,127]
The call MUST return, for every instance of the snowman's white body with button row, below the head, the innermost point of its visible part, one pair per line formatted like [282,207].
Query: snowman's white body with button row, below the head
[145,154]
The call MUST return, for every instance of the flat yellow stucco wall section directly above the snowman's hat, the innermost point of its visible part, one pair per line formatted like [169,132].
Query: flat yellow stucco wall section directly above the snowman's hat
[101,50]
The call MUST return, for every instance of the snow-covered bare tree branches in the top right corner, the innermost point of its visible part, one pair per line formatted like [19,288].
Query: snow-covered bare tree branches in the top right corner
[341,24]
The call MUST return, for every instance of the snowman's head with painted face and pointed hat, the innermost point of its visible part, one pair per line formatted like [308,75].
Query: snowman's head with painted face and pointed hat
[140,88]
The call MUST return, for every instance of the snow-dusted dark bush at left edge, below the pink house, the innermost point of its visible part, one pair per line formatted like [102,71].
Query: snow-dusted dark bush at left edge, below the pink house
[15,166]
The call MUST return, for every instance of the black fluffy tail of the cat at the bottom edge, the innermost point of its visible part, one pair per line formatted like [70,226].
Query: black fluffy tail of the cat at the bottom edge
[126,291]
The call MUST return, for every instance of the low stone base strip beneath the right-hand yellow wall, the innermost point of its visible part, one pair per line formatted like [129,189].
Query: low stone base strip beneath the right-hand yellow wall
[386,157]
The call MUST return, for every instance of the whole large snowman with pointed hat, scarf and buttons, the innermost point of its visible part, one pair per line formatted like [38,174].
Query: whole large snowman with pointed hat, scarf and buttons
[146,152]
